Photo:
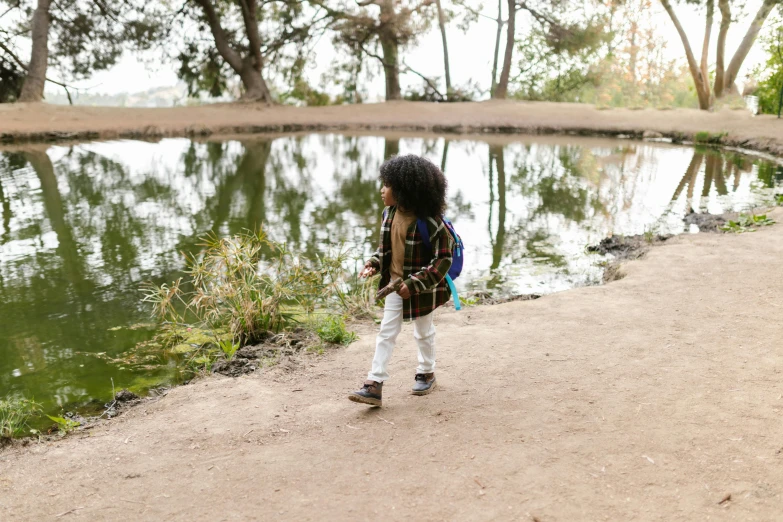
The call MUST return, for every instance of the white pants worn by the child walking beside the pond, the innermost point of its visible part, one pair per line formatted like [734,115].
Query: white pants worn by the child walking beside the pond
[423,332]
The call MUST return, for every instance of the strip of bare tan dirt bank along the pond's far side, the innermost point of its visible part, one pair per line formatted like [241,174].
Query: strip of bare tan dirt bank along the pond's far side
[42,122]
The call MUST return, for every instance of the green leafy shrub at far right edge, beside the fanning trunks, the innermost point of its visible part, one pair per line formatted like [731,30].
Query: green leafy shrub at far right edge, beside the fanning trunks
[770,85]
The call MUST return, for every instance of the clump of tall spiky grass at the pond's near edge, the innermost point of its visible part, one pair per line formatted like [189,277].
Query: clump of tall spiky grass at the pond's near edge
[254,287]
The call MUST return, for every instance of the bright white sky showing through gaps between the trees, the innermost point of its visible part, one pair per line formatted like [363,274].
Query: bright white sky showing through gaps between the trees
[471,55]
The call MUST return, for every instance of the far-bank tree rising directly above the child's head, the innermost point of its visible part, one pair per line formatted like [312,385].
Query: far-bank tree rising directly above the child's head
[395,25]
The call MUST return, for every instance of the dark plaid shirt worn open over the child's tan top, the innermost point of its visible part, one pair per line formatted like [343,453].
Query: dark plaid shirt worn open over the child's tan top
[423,269]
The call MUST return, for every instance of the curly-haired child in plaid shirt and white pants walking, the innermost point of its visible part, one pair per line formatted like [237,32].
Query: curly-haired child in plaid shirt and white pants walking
[413,188]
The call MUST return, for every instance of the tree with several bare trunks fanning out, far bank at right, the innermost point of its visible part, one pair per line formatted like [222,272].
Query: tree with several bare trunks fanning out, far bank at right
[725,76]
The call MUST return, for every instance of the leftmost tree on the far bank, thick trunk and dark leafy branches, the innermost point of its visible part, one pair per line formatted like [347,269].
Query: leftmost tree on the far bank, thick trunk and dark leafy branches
[77,37]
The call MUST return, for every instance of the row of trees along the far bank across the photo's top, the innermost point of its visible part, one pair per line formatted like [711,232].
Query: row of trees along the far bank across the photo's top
[601,51]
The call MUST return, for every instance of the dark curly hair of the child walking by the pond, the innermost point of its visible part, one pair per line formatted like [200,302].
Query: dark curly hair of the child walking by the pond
[418,184]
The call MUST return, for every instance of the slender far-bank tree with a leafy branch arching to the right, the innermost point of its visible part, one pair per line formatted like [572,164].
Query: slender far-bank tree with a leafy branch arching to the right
[565,29]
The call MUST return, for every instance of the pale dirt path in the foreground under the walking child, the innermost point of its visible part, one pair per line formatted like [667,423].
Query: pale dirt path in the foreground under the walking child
[652,398]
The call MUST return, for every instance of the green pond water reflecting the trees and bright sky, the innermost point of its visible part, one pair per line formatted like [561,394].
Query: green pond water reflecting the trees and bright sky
[83,226]
